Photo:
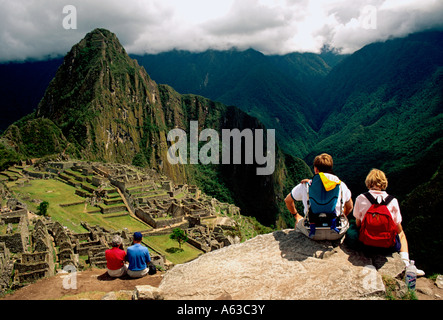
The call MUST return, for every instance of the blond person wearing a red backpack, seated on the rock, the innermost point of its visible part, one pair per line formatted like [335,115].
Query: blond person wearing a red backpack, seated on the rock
[378,218]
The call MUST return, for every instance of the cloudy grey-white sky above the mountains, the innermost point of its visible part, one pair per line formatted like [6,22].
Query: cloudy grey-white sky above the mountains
[38,28]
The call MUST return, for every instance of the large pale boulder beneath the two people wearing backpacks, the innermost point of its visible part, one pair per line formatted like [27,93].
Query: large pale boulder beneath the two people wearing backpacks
[279,266]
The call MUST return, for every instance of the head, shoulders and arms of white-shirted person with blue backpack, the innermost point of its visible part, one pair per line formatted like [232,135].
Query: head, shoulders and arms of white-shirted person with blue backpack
[323,165]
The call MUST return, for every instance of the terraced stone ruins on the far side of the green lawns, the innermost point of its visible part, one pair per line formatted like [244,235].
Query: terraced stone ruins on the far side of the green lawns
[161,204]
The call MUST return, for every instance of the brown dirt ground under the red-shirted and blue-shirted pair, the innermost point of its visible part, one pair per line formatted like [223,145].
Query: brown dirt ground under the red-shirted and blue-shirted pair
[91,285]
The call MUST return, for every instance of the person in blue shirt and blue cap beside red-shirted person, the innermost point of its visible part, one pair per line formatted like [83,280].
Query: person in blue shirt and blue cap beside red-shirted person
[138,258]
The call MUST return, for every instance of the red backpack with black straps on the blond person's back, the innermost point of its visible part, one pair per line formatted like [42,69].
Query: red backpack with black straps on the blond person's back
[378,229]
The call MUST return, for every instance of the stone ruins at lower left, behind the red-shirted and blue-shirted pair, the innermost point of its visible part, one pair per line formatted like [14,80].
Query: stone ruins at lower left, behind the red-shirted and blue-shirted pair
[54,247]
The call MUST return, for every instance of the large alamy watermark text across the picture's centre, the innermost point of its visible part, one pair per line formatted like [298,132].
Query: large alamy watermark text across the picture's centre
[209,153]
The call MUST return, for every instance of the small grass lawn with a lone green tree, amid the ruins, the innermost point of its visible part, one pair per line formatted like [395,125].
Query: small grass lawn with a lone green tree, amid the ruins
[170,249]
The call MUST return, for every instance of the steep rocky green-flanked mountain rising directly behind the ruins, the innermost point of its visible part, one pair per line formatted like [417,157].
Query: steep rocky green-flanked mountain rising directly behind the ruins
[102,106]
